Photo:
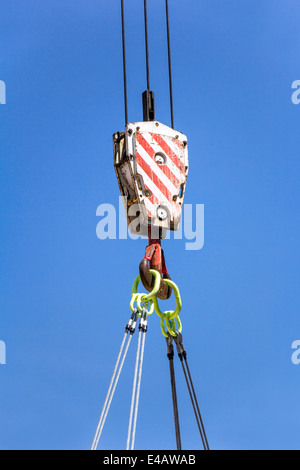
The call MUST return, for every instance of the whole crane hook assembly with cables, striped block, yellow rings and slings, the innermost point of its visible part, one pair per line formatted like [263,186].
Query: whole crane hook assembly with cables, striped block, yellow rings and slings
[151,165]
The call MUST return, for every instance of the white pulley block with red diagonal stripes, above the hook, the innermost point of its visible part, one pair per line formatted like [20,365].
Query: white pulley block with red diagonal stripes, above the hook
[151,164]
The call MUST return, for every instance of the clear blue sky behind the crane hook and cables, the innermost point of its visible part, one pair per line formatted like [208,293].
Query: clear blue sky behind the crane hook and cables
[65,293]
